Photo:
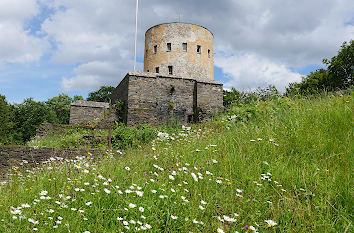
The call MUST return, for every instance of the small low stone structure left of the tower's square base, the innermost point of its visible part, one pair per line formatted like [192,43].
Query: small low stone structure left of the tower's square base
[85,111]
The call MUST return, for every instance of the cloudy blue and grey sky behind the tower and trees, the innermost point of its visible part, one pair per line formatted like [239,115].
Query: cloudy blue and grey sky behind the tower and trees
[49,47]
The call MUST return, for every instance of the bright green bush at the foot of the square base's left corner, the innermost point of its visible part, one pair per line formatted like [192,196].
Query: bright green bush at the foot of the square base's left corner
[124,137]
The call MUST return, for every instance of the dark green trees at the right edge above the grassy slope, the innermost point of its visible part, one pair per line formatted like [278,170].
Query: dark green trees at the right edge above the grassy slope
[338,75]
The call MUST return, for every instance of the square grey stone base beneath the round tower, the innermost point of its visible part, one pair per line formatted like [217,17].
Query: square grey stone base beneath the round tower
[154,99]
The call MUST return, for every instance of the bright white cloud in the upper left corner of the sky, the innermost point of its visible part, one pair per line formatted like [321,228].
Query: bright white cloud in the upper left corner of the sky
[16,44]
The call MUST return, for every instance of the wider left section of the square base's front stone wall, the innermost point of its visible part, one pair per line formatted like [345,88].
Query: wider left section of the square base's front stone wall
[155,100]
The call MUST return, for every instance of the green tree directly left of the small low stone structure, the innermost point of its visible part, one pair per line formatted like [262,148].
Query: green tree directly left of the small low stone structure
[61,107]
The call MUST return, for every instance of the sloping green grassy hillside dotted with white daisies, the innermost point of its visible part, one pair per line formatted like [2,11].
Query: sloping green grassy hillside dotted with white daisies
[278,166]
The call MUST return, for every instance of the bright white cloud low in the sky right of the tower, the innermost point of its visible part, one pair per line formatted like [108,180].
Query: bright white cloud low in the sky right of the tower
[250,71]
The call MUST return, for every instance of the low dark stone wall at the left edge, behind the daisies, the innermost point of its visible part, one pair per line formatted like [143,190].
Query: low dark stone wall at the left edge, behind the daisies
[15,155]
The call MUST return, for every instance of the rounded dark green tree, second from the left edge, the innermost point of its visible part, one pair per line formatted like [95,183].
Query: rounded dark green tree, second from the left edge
[31,114]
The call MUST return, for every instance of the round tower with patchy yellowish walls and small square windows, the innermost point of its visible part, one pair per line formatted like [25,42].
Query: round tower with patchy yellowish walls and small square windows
[181,49]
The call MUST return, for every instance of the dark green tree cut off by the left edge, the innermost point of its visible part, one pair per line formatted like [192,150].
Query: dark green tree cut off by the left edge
[6,126]
